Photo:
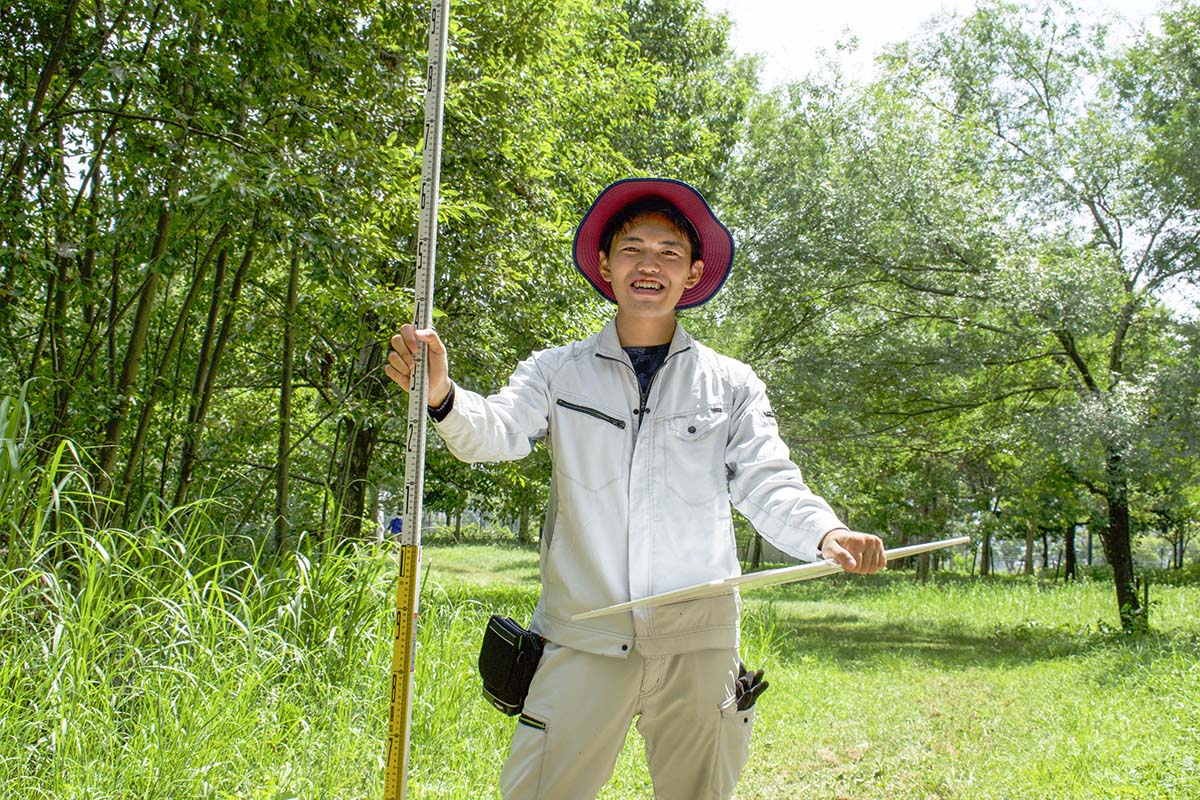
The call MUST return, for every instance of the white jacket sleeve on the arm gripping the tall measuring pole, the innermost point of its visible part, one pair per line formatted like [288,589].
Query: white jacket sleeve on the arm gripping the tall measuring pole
[501,428]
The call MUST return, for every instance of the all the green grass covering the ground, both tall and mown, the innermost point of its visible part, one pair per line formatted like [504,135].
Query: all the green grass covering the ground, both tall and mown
[171,661]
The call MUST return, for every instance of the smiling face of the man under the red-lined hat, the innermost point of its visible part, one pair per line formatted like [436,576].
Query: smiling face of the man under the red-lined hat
[650,267]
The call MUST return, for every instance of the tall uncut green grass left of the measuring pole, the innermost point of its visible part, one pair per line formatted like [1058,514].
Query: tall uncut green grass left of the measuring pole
[173,660]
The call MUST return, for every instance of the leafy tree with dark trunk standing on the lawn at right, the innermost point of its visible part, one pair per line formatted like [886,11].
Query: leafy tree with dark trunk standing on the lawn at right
[980,251]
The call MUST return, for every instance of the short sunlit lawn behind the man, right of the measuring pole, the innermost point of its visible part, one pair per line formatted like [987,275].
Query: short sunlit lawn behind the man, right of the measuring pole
[884,688]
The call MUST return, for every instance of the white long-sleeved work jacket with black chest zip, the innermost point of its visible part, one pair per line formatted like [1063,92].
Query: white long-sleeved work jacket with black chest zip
[641,489]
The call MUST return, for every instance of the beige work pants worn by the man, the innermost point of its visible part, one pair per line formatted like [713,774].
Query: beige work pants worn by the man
[580,708]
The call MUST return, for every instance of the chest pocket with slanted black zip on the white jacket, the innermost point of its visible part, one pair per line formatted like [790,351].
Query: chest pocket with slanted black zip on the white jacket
[589,442]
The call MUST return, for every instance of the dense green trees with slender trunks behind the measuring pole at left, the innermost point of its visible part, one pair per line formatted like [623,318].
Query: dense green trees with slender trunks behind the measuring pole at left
[165,165]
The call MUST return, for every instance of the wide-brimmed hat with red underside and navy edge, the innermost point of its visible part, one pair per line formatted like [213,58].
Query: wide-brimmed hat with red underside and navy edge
[716,242]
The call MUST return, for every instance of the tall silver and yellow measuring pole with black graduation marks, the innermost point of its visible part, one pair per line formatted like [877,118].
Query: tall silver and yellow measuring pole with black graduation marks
[404,653]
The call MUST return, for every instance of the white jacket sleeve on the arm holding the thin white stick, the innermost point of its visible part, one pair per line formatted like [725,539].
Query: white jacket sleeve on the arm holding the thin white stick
[765,485]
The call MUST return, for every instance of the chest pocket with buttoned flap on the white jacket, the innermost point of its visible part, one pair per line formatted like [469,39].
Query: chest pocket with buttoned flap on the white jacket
[694,454]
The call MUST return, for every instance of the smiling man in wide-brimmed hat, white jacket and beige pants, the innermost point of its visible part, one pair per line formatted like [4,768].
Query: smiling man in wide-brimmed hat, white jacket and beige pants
[652,436]
